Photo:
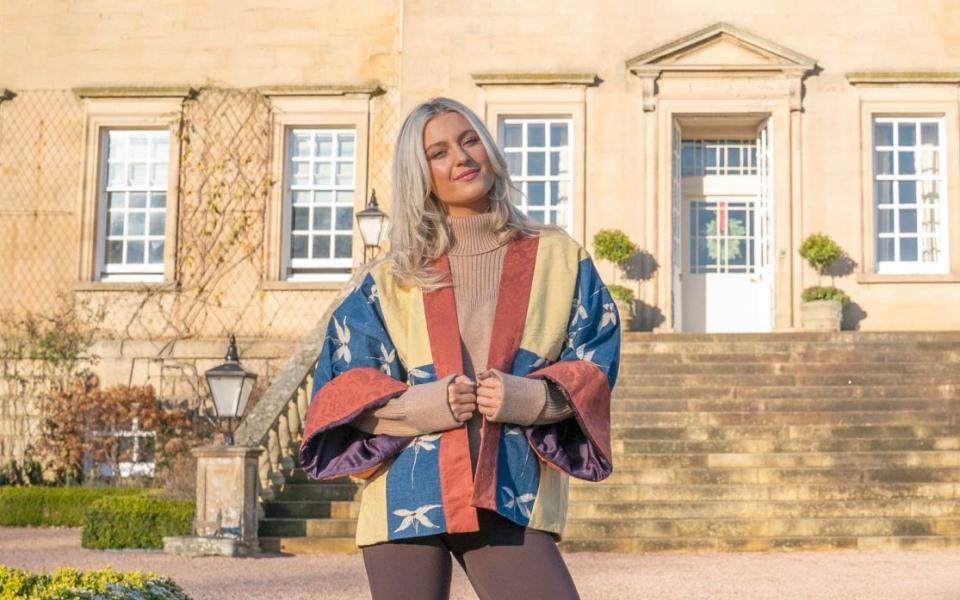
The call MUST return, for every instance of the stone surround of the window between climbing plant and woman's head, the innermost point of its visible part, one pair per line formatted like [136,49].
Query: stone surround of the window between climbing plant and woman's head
[343,106]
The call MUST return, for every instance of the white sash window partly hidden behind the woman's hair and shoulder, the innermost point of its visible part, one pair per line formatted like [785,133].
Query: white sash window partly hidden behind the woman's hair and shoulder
[539,156]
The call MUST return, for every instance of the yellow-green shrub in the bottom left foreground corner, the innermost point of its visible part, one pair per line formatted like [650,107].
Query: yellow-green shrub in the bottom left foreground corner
[66,583]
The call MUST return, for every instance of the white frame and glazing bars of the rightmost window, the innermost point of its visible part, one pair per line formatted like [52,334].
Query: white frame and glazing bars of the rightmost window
[941,265]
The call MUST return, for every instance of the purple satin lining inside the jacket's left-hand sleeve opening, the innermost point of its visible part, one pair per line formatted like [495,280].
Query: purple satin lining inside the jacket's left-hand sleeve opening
[340,450]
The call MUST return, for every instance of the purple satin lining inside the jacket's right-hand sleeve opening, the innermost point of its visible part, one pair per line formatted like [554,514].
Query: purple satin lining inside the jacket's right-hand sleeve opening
[565,445]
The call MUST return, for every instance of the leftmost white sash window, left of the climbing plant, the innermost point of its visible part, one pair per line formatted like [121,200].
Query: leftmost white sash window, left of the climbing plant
[132,200]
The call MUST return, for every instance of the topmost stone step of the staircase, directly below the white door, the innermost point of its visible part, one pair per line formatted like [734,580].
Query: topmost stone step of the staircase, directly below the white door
[781,336]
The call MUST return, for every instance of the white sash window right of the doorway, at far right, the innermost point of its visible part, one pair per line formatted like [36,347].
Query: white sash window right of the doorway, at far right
[909,193]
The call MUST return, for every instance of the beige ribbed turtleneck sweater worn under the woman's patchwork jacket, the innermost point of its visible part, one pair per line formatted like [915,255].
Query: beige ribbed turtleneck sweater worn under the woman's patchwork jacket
[476,261]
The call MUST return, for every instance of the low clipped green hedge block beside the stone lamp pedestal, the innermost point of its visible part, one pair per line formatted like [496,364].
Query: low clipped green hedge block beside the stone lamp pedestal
[135,522]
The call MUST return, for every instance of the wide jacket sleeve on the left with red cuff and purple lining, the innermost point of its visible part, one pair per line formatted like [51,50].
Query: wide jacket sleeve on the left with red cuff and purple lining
[357,370]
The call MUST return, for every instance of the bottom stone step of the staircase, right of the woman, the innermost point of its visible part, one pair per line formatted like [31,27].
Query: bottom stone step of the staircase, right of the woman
[760,544]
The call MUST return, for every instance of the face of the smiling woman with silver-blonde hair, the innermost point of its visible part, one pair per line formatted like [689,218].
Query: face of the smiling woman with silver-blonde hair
[460,171]
